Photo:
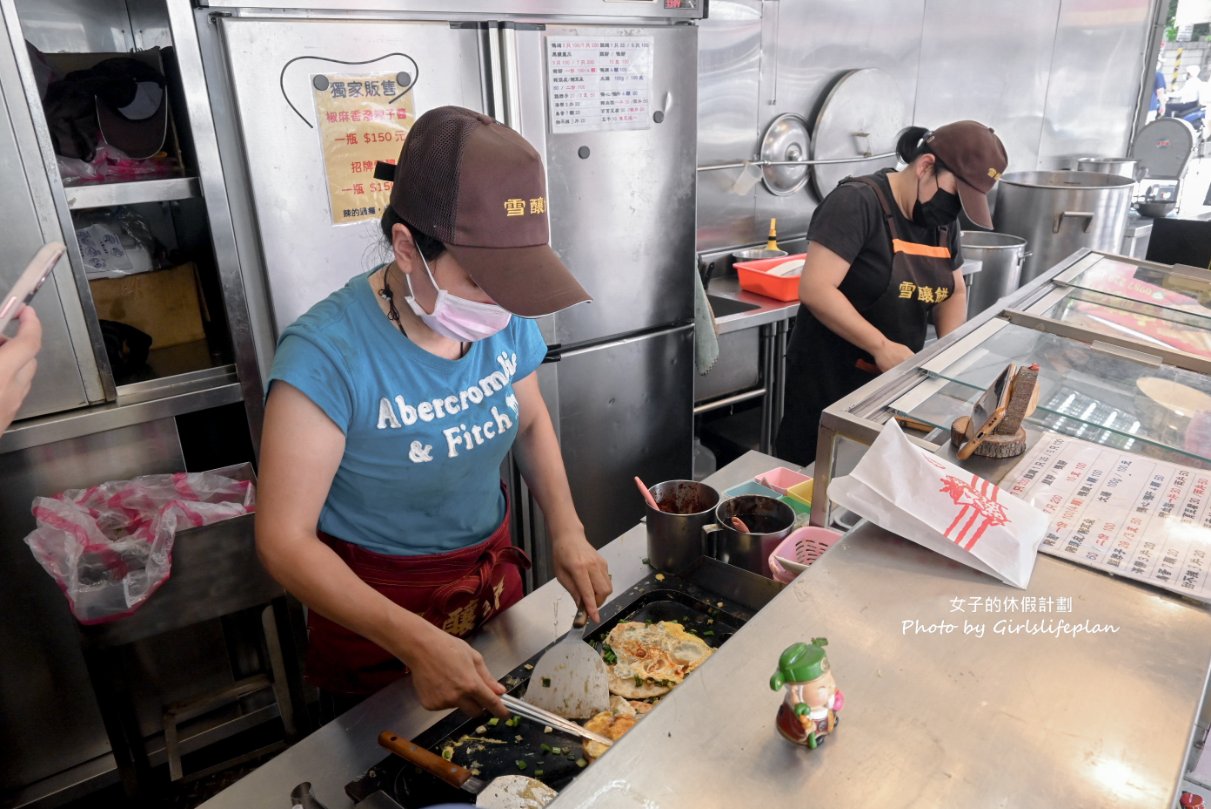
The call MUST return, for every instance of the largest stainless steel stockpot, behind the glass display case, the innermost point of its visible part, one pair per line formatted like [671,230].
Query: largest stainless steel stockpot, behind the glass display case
[1060,213]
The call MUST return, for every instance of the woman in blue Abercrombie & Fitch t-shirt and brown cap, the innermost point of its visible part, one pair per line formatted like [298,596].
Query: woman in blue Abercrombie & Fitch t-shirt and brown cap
[392,406]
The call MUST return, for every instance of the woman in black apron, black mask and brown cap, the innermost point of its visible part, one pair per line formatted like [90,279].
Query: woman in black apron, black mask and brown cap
[883,260]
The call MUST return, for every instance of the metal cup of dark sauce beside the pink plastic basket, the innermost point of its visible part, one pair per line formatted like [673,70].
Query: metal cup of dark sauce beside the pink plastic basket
[770,521]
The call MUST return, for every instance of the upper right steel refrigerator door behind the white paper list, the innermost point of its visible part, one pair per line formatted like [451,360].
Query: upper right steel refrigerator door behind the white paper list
[622,203]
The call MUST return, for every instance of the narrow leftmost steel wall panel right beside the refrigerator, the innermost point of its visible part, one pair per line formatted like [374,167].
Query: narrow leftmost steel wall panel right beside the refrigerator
[730,110]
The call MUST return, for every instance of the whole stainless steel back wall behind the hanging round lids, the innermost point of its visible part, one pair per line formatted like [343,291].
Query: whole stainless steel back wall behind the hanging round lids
[1059,78]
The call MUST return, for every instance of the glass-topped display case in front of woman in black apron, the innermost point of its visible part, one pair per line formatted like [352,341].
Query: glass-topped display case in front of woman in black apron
[1124,355]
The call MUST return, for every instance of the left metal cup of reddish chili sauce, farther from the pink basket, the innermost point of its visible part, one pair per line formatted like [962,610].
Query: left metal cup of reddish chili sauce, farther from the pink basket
[675,531]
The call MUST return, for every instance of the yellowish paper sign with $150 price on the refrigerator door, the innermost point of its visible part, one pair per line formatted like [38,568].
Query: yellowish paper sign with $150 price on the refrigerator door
[363,119]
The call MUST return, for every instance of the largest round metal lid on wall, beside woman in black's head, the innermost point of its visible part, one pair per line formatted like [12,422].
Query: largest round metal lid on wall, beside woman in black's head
[863,116]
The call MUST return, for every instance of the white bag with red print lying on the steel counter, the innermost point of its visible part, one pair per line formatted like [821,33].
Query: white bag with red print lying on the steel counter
[912,494]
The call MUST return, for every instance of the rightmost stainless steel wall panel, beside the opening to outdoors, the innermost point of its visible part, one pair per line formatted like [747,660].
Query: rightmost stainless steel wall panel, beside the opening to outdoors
[1095,77]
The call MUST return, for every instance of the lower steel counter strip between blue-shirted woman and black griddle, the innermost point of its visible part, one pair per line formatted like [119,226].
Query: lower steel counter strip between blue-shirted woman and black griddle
[343,750]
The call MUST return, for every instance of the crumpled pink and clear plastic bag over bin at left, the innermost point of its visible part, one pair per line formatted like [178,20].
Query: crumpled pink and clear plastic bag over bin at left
[110,547]
